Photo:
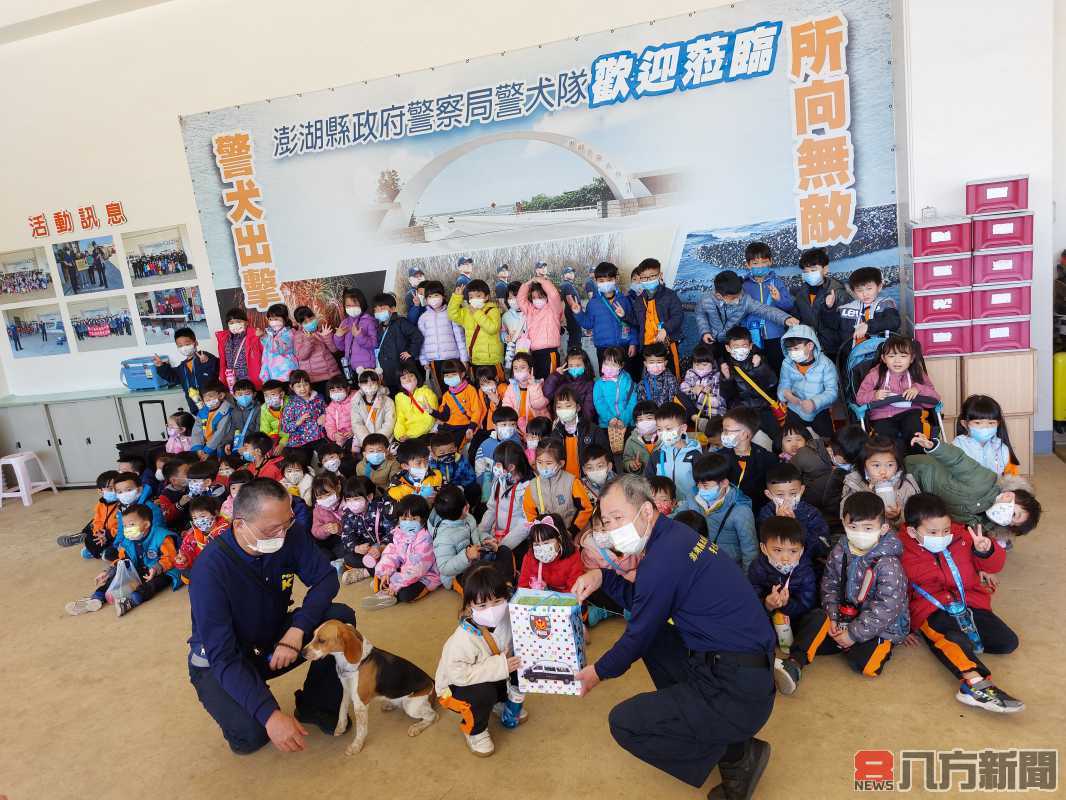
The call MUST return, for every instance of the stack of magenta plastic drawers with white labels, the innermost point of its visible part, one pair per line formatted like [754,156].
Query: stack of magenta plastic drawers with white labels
[973,276]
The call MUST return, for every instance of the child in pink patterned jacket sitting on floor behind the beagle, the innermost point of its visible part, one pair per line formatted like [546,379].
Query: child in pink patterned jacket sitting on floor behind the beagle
[408,569]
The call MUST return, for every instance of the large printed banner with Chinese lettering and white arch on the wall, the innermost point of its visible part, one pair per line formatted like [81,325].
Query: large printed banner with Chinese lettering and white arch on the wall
[683,140]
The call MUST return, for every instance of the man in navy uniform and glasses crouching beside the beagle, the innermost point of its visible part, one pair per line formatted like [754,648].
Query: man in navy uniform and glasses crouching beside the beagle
[244,634]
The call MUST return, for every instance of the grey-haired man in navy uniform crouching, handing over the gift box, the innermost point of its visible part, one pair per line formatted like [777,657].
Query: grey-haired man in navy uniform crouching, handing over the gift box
[705,639]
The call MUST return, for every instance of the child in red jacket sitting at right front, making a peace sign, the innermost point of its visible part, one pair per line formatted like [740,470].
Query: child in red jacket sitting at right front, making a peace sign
[949,605]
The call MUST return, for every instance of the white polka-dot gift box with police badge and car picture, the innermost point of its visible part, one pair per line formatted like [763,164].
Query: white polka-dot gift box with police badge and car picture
[550,638]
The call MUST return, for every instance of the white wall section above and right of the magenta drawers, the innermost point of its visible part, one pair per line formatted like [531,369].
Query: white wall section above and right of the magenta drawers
[980,105]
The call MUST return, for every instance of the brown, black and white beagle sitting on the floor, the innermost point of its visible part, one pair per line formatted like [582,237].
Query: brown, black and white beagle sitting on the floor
[368,674]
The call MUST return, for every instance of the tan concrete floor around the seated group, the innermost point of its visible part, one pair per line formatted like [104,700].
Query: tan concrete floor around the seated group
[103,708]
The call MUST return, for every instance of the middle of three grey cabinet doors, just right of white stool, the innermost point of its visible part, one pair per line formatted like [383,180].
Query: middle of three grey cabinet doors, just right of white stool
[87,433]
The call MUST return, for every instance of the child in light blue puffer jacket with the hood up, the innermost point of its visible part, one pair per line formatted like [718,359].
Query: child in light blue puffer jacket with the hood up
[810,382]
